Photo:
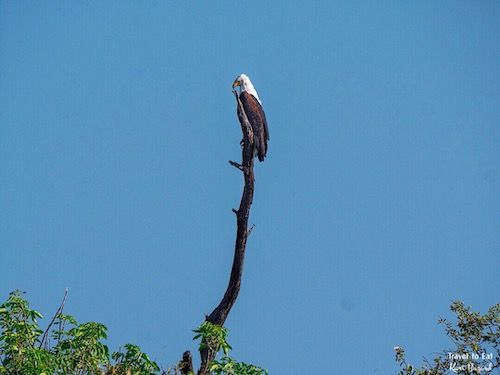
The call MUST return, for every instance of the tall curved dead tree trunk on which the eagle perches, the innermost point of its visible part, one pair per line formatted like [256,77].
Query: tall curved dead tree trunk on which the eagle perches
[220,313]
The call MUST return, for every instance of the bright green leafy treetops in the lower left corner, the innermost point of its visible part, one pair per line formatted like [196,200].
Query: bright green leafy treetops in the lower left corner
[77,348]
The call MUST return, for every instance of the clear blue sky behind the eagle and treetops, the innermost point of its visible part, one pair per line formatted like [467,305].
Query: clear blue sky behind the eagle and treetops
[379,201]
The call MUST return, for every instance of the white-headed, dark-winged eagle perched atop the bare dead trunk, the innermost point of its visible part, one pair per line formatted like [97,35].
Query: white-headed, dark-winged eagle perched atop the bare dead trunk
[255,113]
